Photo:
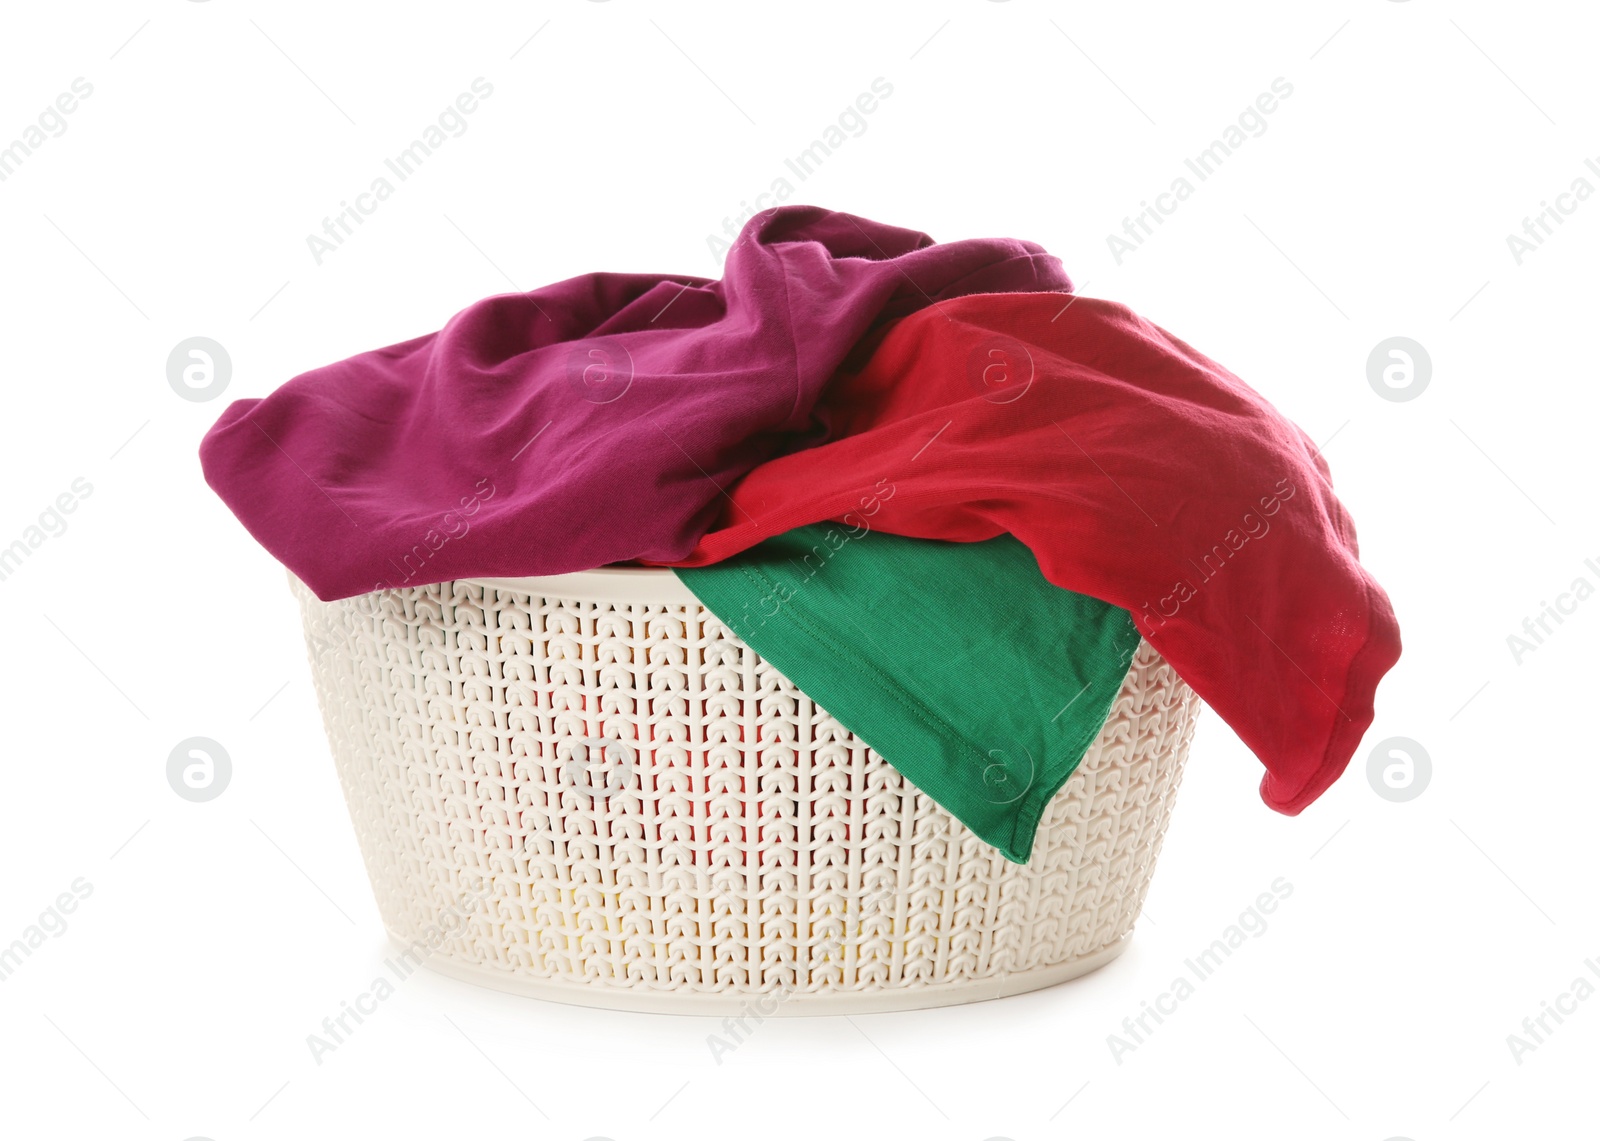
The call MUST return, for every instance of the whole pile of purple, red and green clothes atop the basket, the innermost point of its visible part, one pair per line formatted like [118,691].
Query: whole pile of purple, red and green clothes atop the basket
[934,486]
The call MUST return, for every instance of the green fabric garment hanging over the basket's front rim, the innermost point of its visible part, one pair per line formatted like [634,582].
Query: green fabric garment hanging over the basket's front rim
[959,663]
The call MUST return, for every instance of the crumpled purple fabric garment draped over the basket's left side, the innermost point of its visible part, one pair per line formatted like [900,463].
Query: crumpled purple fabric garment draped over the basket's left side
[593,422]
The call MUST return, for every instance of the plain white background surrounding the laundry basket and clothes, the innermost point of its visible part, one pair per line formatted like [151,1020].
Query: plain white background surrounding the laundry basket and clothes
[1377,204]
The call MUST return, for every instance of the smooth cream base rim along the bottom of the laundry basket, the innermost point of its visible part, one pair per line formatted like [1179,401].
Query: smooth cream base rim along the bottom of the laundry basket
[799,1004]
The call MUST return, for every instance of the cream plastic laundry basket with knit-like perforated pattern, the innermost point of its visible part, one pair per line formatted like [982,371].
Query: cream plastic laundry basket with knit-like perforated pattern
[586,788]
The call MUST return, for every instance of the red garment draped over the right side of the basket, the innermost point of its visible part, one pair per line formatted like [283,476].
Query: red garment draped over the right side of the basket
[1140,473]
